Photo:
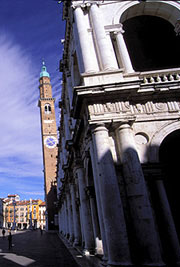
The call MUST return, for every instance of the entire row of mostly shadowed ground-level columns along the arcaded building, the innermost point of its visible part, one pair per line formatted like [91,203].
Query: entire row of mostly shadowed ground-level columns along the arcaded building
[93,216]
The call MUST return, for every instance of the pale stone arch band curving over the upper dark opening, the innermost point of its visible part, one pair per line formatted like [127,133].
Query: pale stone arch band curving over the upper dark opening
[169,11]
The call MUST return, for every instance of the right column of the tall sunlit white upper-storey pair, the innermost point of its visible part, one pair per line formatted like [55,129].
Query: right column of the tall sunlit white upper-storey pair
[107,56]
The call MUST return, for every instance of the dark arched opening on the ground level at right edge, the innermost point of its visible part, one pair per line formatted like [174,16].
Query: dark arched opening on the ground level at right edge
[169,158]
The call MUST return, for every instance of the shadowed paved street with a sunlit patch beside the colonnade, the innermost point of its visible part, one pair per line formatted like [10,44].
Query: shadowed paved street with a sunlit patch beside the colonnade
[30,248]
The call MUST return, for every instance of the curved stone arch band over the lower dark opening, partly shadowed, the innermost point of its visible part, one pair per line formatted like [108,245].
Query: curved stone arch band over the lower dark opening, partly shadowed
[158,138]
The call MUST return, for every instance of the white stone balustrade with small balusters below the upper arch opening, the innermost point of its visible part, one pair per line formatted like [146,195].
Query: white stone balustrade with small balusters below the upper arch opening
[160,76]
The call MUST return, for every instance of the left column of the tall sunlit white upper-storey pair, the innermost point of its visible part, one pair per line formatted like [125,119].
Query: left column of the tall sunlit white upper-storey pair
[89,59]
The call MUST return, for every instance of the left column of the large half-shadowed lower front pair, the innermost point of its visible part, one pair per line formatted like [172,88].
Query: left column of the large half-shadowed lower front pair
[112,210]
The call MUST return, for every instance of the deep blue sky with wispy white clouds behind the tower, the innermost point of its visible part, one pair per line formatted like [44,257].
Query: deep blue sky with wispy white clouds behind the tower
[29,32]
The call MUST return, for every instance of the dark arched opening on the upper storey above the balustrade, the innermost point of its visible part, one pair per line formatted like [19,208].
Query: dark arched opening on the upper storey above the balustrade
[152,43]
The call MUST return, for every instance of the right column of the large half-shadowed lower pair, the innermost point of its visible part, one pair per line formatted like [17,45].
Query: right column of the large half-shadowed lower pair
[140,209]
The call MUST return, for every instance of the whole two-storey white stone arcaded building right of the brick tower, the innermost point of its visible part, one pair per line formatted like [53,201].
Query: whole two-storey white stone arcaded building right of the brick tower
[119,135]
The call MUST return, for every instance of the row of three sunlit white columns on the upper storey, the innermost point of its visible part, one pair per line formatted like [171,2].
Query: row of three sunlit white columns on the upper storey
[101,55]
